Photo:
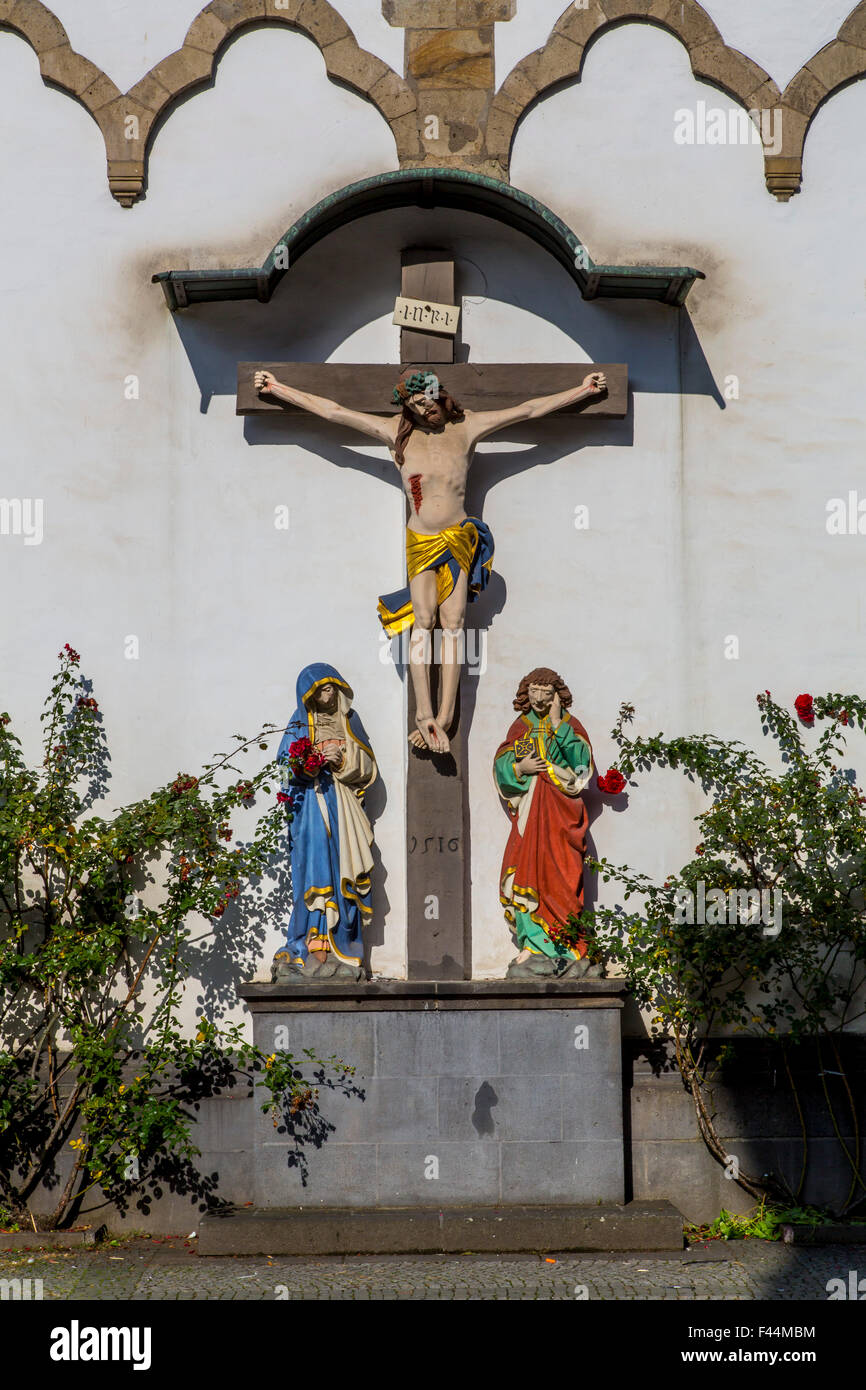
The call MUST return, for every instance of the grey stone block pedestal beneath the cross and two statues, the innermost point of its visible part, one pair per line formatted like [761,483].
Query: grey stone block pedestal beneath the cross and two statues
[466,1093]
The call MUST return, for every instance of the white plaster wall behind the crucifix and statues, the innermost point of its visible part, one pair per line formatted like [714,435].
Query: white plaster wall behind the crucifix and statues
[705,522]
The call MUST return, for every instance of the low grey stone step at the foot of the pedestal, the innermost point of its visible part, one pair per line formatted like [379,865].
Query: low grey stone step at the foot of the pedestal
[427,1231]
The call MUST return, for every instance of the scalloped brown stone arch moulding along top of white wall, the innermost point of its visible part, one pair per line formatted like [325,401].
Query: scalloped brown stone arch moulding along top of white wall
[836,66]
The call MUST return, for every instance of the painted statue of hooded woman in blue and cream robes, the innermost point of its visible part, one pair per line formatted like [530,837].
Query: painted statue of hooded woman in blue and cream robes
[327,767]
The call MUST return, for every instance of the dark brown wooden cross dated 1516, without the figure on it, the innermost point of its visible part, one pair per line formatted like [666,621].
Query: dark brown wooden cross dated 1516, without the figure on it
[437,806]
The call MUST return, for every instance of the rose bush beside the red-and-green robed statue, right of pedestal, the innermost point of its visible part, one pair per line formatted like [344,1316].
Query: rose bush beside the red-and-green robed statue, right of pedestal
[797,829]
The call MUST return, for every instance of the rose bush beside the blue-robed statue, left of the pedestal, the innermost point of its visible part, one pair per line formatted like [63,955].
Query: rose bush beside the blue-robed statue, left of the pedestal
[97,924]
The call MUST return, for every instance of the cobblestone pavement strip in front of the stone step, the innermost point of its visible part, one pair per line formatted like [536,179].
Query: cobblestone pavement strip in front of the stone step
[172,1270]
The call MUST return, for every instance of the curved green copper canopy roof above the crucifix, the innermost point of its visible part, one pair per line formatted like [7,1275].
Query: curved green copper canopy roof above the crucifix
[432,188]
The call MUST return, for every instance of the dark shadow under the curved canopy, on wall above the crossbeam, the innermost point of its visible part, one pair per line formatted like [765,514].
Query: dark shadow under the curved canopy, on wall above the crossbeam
[351,280]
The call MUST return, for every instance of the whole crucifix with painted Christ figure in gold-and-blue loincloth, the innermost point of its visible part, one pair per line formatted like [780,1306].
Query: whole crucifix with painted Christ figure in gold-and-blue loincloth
[432,414]
